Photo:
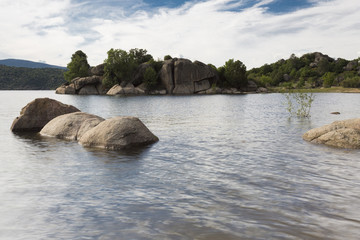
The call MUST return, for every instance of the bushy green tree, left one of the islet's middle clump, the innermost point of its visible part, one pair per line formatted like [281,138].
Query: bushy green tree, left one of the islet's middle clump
[119,66]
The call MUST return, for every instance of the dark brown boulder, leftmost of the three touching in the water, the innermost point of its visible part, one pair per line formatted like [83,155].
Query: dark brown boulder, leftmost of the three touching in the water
[36,114]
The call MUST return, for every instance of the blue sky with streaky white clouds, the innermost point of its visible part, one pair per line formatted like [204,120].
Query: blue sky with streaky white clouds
[255,32]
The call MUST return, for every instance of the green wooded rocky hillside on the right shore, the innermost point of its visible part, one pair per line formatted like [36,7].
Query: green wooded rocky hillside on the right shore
[312,70]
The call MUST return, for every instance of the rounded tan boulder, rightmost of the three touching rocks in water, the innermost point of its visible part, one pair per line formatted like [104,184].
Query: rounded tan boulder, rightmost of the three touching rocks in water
[118,133]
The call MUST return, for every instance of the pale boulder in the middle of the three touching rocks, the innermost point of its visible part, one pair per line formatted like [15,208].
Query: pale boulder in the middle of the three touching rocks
[71,126]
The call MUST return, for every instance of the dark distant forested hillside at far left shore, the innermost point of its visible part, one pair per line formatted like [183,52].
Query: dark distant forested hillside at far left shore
[20,78]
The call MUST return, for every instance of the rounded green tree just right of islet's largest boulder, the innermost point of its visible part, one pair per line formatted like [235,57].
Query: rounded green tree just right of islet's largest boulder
[235,73]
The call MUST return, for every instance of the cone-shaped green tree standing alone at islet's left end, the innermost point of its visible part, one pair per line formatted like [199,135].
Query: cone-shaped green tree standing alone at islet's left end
[78,67]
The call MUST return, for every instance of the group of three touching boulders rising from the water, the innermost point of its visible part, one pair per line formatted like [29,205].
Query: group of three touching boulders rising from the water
[55,119]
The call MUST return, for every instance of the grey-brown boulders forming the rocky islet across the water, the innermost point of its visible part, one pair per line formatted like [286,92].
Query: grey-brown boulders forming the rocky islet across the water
[177,76]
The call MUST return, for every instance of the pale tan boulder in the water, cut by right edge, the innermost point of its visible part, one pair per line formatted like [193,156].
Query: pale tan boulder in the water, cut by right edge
[341,134]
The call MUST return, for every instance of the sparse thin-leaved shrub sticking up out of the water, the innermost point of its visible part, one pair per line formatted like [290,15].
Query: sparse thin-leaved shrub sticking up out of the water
[299,103]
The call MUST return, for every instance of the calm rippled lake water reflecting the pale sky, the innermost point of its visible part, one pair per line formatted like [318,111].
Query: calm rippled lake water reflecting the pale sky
[226,167]
